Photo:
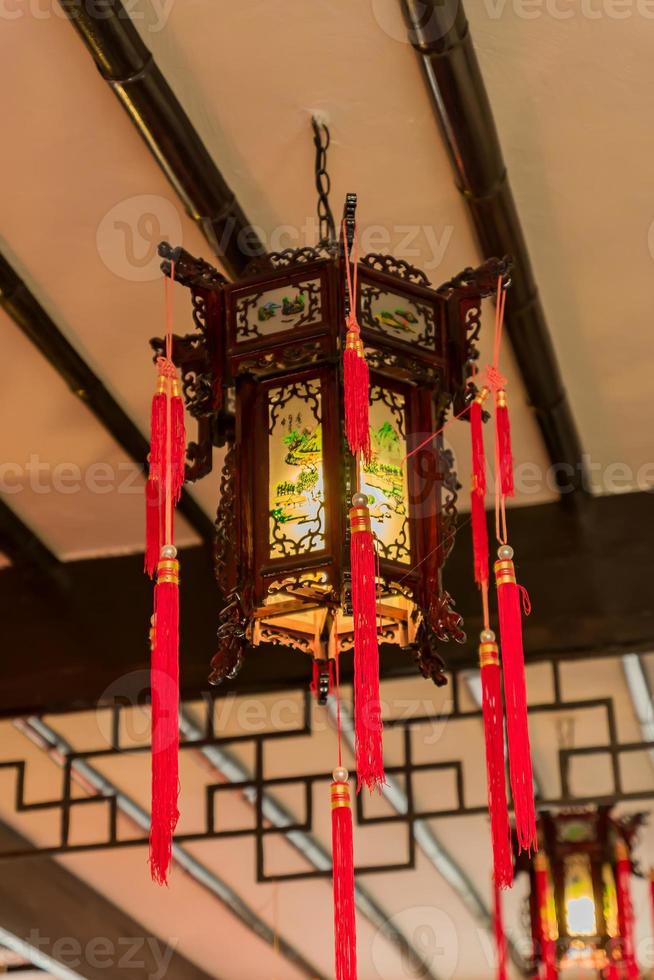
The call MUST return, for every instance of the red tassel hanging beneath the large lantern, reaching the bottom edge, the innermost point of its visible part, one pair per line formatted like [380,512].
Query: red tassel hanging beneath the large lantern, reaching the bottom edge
[345,936]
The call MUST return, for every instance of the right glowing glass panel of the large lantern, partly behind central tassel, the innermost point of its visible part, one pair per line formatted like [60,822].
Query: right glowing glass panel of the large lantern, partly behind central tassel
[384,479]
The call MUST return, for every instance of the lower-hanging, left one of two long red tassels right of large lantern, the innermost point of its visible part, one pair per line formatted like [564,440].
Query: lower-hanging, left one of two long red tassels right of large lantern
[489,663]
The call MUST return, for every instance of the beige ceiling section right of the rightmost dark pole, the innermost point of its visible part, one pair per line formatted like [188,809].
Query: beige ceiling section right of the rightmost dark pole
[570,94]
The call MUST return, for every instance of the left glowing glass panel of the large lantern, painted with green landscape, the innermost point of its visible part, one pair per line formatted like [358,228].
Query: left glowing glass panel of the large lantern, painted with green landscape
[296,488]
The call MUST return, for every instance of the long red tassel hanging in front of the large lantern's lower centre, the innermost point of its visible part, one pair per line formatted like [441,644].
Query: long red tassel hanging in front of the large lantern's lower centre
[367,711]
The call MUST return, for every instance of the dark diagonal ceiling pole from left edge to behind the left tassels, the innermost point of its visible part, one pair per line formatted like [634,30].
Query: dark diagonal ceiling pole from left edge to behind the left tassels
[37,325]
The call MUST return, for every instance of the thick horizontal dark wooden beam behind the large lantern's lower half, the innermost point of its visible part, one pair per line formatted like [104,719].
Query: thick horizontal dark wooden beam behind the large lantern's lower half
[588,573]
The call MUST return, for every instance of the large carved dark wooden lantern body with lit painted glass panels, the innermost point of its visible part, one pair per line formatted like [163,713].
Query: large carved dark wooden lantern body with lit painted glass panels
[262,375]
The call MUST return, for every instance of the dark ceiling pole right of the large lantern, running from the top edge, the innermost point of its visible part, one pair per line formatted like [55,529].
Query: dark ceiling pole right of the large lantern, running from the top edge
[440,33]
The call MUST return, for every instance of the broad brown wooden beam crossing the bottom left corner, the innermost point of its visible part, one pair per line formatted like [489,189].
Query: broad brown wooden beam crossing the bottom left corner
[42,902]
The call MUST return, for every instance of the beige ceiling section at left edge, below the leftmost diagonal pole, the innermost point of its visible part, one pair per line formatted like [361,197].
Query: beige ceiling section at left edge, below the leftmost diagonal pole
[63,474]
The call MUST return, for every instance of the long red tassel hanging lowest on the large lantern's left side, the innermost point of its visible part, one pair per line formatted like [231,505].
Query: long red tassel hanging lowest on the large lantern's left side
[165,721]
